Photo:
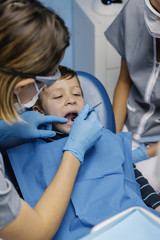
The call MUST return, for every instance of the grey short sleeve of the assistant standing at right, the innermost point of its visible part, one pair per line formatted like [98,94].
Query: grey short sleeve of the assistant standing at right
[126,32]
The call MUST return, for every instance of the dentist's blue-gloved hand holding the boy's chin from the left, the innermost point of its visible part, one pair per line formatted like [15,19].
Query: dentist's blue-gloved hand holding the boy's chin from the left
[29,128]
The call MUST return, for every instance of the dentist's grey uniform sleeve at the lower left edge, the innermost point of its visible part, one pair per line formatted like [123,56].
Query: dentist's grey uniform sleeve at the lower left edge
[10,202]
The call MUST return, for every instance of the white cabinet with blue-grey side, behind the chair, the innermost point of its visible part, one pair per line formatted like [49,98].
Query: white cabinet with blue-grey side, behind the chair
[92,52]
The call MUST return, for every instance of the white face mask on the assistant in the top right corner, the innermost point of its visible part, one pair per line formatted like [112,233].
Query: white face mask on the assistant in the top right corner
[152,19]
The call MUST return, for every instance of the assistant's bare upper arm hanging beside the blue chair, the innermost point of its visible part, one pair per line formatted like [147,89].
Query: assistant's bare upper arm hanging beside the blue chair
[121,95]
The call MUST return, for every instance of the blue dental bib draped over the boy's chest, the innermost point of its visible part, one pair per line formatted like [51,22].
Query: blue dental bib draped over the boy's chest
[105,184]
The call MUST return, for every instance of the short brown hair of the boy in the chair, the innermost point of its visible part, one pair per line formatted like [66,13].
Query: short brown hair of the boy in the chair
[66,73]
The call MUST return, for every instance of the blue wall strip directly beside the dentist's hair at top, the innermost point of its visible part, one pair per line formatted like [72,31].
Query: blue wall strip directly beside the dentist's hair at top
[64,8]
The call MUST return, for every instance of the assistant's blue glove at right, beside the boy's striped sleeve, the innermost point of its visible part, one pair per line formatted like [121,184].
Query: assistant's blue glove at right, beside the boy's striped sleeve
[139,154]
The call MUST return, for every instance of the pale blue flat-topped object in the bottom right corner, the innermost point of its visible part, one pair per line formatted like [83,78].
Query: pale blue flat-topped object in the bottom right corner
[135,224]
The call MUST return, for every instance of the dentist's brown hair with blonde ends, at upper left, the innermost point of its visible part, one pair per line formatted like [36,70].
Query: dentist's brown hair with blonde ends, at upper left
[32,40]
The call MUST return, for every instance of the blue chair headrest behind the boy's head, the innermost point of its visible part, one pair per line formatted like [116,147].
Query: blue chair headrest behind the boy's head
[94,92]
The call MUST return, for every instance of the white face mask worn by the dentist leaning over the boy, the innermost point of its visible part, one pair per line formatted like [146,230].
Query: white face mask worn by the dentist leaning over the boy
[33,100]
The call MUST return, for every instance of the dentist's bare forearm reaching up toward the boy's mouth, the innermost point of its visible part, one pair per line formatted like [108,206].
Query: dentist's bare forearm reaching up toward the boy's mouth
[43,221]
